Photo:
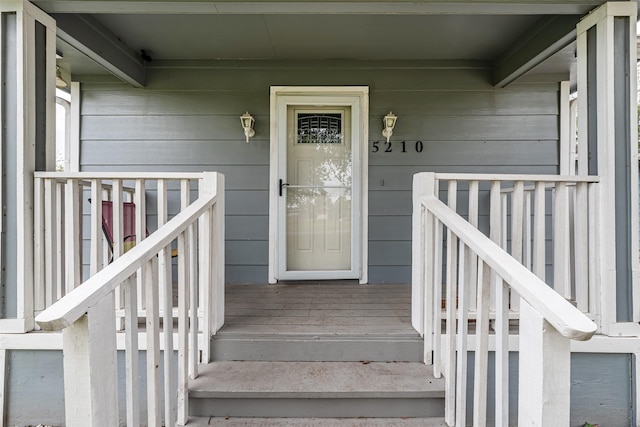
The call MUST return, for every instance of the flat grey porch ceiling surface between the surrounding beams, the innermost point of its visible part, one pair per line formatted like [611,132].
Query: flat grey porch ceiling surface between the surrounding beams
[294,37]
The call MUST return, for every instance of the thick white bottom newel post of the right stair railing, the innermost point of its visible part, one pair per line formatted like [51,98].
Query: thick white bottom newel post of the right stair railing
[544,372]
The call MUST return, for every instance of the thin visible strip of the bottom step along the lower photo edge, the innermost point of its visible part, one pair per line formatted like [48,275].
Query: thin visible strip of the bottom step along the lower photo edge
[317,422]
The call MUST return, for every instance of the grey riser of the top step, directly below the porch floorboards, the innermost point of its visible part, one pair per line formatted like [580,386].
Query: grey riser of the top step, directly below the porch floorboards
[317,348]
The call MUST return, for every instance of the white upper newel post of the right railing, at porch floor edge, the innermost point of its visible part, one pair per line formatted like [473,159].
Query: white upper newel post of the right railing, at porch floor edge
[424,184]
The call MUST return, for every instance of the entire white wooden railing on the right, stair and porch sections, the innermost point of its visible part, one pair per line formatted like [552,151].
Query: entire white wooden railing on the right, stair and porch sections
[472,277]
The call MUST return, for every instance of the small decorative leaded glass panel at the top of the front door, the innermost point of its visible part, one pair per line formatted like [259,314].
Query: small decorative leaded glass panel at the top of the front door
[319,128]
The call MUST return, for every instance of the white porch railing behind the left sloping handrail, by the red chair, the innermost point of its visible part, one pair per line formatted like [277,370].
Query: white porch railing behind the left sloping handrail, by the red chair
[63,202]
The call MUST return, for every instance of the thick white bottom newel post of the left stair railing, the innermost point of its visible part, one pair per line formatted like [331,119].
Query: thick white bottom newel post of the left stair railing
[90,368]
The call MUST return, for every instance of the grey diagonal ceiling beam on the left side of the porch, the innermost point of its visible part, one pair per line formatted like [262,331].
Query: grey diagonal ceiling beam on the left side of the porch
[91,38]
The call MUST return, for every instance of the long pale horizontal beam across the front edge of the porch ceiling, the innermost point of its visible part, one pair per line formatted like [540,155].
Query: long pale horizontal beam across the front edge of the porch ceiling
[461,7]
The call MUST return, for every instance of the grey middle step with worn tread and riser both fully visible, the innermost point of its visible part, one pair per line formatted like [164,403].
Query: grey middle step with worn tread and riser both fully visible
[316,389]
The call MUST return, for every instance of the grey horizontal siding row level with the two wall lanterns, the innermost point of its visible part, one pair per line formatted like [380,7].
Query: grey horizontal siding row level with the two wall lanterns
[225,128]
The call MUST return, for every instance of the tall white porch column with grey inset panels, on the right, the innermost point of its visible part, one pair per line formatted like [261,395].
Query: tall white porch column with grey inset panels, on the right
[608,148]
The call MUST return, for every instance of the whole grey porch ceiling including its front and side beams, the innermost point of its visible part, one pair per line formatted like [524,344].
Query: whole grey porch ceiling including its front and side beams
[503,32]
